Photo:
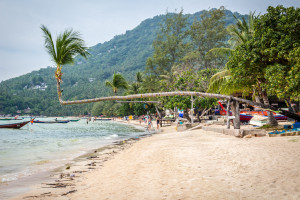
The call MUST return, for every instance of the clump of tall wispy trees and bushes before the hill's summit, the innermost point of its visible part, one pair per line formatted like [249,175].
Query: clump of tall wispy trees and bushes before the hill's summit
[181,60]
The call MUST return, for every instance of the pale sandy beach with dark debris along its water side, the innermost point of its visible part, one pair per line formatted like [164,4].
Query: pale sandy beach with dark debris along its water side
[194,164]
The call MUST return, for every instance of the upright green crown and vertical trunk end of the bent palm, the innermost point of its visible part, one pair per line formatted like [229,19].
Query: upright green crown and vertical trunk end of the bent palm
[67,45]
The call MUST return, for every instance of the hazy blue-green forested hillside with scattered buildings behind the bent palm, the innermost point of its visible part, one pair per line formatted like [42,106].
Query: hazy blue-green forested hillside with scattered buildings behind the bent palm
[126,53]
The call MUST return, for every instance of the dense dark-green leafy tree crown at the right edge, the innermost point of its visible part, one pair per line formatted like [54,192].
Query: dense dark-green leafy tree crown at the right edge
[270,59]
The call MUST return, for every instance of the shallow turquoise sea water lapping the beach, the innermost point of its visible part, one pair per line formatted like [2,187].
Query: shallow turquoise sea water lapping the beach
[37,147]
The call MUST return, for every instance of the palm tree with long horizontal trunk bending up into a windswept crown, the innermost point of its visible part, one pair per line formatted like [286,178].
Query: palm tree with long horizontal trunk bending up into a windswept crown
[69,44]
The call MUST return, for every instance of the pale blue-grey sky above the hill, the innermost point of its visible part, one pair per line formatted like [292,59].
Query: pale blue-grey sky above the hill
[21,40]
